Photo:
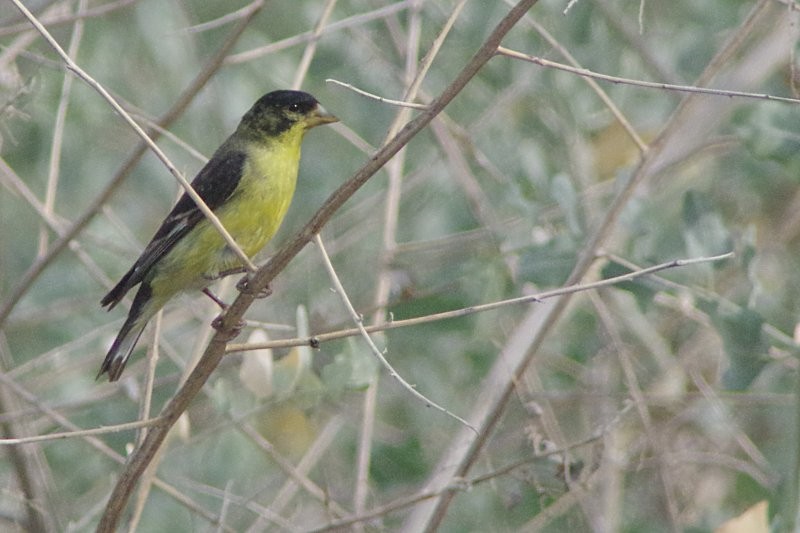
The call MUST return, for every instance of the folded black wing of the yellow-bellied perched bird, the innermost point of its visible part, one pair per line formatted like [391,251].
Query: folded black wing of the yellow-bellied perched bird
[214,183]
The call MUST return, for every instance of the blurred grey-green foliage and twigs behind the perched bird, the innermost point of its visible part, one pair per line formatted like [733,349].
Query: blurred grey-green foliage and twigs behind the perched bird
[667,403]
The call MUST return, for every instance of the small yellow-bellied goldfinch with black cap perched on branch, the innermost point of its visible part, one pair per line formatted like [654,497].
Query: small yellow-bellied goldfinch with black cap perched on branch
[248,183]
